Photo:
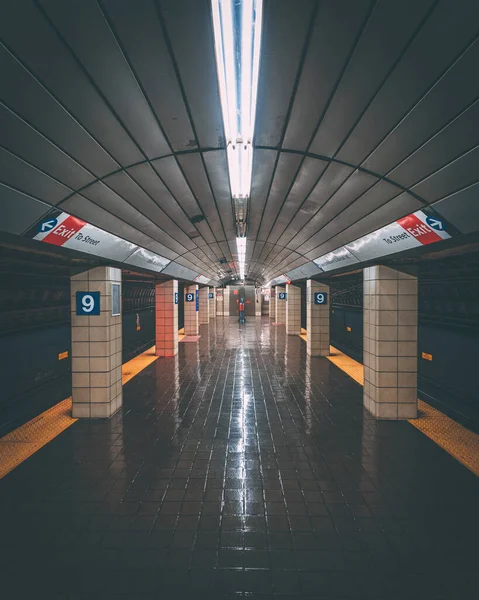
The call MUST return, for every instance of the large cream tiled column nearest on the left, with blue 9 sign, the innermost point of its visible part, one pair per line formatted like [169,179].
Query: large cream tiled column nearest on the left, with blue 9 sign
[96,347]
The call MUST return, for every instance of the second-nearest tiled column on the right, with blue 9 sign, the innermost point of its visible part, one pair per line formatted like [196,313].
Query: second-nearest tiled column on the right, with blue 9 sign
[317,319]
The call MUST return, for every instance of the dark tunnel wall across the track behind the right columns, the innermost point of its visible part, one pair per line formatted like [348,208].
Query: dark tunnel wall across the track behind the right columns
[448,332]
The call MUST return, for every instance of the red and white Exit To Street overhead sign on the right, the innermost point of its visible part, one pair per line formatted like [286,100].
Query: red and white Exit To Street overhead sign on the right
[412,231]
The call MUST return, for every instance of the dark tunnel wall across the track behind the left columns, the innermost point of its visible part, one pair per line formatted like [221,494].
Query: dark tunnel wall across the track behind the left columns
[35,348]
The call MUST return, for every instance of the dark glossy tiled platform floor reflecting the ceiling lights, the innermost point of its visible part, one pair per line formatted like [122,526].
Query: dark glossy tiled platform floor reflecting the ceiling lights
[240,469]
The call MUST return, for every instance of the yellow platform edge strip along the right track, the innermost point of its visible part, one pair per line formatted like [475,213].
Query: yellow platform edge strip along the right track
[458,441]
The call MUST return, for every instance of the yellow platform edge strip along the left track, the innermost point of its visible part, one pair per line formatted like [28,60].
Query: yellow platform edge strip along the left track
[23,442]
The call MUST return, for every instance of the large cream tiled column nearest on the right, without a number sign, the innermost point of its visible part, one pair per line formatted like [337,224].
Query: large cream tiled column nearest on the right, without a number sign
[390,343]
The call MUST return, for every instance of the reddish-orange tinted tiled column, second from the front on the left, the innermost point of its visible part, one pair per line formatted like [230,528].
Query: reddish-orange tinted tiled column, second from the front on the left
[166,315]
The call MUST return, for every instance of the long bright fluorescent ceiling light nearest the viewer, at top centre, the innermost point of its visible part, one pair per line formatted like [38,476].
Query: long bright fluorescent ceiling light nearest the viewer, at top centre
[237,31]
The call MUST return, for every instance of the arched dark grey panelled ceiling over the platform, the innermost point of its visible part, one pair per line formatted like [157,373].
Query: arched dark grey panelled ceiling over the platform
[367,111]
